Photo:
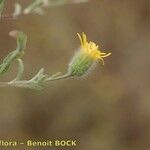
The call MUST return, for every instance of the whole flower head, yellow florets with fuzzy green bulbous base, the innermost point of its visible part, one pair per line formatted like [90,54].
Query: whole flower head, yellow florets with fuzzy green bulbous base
[86,57]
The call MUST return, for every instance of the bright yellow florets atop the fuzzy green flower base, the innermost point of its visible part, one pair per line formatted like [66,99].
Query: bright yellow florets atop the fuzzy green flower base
[91,49]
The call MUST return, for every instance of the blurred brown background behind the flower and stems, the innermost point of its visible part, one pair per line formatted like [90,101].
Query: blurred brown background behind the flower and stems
[110,109]
